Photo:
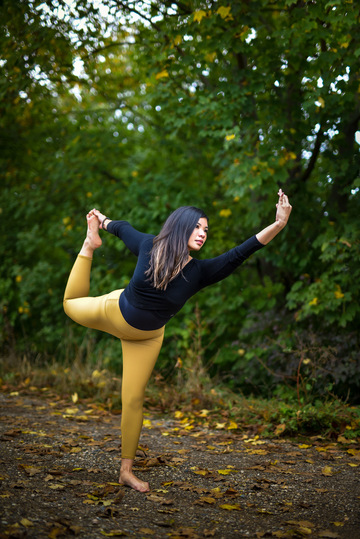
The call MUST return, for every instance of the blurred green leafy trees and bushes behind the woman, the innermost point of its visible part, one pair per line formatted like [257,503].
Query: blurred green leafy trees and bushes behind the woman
[137,108]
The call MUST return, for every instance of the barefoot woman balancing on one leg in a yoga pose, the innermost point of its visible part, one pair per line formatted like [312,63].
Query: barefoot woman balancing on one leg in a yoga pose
[165,277]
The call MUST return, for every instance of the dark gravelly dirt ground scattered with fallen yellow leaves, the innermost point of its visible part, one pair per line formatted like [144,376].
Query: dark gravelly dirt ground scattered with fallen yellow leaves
[59,465]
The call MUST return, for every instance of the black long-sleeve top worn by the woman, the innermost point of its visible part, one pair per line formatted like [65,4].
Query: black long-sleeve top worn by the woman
[146,307]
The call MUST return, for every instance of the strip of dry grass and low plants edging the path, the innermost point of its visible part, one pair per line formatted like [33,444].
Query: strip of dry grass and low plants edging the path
[191,396]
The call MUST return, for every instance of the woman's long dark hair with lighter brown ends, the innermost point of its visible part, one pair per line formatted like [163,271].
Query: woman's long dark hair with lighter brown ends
[170,252]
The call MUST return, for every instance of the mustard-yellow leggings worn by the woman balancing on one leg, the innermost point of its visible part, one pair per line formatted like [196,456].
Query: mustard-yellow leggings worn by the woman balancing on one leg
[140,348]
